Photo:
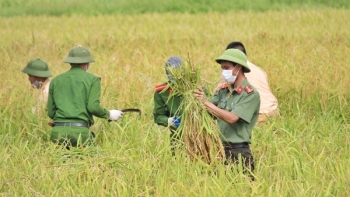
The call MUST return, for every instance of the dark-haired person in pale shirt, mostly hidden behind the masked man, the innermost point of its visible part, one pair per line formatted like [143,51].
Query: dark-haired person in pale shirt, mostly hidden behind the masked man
[258,78]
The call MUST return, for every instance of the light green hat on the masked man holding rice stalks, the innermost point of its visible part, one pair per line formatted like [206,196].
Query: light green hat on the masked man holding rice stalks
[236,56]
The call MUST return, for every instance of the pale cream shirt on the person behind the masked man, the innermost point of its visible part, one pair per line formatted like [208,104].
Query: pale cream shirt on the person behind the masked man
[258,78]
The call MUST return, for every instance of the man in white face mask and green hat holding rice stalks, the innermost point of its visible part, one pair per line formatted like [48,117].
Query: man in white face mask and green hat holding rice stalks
[236,107]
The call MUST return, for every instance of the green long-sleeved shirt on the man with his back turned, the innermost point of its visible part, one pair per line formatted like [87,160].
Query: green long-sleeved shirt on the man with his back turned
[74,96]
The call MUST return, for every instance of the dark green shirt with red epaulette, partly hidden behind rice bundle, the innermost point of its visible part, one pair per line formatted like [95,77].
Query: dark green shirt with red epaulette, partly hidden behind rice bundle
[165,107]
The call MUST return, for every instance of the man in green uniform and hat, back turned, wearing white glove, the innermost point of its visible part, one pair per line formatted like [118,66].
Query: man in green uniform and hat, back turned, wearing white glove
[74,97]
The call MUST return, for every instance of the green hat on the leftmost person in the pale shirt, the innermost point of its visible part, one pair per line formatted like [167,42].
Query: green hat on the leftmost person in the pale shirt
[38,68]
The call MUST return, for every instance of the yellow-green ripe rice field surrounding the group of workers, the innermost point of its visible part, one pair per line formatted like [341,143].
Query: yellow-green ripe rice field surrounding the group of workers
[305,152]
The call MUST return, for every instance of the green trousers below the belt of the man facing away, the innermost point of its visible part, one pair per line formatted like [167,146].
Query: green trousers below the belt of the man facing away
[71,136]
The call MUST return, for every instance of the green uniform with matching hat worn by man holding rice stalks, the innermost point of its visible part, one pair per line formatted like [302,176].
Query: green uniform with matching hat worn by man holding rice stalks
[244,102]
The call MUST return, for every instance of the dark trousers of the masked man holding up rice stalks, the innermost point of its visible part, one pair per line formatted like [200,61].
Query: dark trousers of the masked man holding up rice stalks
[234,154]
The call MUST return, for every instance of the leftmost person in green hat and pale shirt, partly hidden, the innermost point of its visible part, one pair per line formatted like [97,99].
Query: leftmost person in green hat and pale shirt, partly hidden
[38,75]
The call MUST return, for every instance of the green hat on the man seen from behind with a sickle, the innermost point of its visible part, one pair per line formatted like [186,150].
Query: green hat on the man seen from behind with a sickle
[79,55]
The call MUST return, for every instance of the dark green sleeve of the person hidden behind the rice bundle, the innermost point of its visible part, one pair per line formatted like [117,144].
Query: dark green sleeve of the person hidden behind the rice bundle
[160,115]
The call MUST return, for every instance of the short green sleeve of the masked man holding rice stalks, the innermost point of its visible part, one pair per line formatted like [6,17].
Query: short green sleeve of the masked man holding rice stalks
[247,106]
